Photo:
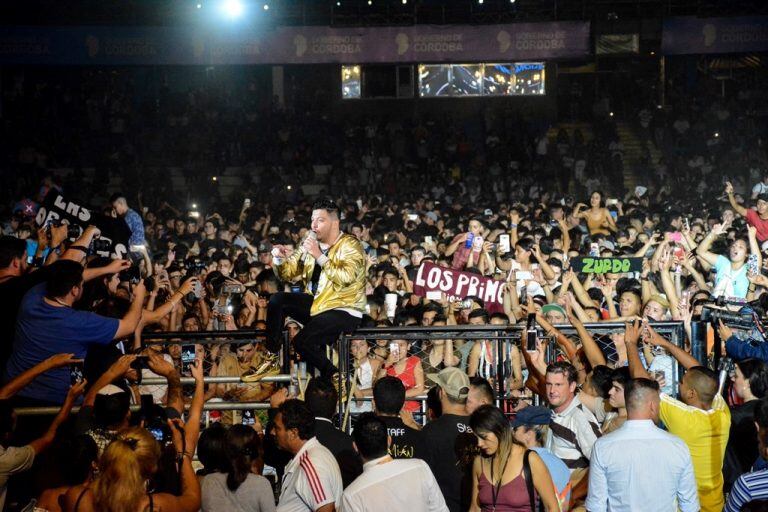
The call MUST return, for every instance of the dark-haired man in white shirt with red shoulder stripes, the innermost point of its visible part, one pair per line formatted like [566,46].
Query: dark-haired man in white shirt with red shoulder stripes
[312,481]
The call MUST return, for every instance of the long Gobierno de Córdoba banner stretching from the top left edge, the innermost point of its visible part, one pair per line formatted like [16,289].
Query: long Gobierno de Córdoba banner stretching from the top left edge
[293,45]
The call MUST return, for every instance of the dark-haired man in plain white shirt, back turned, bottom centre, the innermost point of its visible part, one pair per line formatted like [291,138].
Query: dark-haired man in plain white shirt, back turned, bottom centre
[389,484]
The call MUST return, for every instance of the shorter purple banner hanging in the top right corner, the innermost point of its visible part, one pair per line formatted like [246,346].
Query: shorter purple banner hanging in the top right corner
[691,35]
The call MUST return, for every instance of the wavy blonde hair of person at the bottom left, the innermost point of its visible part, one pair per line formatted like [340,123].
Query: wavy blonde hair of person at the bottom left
[124,467]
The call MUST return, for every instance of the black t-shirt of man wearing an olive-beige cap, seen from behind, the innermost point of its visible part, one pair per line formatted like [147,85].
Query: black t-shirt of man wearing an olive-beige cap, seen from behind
[447,439]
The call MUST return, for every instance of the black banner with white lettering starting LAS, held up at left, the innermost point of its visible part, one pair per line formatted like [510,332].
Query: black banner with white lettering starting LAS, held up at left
[114,231]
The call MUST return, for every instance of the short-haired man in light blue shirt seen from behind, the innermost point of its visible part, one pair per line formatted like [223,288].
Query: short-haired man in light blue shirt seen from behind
[620,478]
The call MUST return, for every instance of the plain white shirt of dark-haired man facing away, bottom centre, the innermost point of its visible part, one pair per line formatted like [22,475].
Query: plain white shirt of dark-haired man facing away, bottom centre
[393,485]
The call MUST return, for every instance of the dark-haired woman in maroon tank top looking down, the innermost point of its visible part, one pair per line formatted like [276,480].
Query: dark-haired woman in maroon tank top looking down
[506,475]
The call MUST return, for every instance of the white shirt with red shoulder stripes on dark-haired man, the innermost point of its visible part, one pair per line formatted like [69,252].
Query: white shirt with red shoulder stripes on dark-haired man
[312,479]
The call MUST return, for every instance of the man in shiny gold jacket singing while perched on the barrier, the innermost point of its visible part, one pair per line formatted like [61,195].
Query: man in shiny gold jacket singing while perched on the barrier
[331,267]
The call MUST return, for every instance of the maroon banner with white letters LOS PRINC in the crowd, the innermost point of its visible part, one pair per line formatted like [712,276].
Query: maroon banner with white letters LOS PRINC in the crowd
[458,285]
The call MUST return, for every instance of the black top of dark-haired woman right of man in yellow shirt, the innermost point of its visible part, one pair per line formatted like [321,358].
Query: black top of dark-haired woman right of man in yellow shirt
[741,451]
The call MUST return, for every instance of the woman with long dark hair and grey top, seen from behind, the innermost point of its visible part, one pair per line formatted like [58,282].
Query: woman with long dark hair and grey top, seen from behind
[242,487]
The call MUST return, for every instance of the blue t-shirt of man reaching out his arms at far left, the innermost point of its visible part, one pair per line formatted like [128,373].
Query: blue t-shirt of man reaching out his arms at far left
[43,330]
